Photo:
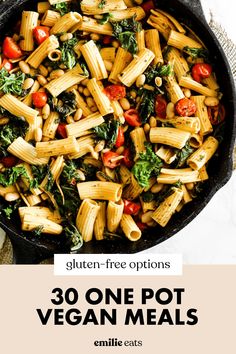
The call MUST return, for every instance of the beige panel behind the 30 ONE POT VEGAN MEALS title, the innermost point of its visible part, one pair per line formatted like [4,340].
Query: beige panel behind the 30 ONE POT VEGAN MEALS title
[211,289]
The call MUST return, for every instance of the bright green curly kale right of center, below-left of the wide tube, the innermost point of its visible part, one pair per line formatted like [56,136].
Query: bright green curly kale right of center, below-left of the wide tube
[148,165]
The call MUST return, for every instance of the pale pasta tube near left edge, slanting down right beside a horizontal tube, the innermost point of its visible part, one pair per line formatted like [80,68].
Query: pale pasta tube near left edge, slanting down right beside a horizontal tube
[26,152]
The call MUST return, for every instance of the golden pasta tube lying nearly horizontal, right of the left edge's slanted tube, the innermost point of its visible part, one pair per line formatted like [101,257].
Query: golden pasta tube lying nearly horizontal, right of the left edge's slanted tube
[57,147]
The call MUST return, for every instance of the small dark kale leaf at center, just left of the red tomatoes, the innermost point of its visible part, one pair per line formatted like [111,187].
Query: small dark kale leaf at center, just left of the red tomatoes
[108,131]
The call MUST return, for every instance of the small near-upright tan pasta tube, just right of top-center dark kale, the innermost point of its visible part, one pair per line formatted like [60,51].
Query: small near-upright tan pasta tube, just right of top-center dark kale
[152,41]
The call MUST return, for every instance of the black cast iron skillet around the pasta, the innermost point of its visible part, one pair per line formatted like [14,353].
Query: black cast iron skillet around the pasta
[30,251]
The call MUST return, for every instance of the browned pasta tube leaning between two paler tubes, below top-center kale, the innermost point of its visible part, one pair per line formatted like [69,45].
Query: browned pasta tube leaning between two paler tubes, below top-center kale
[122,60]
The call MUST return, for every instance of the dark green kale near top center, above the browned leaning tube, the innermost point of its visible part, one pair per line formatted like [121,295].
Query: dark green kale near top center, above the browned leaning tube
[125,31]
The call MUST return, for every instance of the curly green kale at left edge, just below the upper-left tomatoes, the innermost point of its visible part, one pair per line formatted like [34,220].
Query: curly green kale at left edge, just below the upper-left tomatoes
[11,83]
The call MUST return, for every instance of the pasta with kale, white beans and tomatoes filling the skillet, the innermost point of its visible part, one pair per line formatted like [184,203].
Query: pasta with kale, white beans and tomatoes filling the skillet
[110,112]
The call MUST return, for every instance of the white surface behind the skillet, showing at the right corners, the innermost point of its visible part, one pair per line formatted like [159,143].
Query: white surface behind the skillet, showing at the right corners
[211,237]
